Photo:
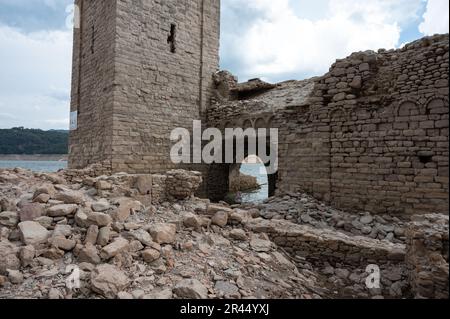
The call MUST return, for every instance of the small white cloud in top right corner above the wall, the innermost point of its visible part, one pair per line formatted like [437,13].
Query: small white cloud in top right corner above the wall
[436,17]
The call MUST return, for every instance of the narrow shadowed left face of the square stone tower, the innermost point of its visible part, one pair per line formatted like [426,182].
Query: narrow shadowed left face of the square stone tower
[92,84]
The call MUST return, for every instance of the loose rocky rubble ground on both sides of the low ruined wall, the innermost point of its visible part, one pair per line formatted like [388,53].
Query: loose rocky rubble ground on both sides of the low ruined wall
[54,228]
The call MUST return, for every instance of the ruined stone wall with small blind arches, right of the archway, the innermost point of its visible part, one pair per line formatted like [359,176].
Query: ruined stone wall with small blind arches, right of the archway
[374,135]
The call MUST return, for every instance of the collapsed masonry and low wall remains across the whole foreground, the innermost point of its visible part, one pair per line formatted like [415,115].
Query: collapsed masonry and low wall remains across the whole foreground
[146,236]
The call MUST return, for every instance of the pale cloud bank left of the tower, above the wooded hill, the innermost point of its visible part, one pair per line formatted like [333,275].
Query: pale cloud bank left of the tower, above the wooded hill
[35,80]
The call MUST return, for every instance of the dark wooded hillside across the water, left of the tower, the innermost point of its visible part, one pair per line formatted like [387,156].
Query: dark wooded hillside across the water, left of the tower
[19,140]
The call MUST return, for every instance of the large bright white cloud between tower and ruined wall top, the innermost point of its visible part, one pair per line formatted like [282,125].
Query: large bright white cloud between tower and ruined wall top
[280,42]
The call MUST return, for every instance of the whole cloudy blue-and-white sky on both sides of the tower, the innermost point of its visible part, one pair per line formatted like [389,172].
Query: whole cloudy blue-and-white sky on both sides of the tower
[272,39]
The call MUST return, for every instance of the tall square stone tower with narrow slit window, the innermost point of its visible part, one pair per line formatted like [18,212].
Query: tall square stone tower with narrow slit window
[140,69]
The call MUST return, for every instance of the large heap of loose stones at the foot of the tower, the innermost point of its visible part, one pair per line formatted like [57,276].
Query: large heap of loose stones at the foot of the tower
[56,228]
